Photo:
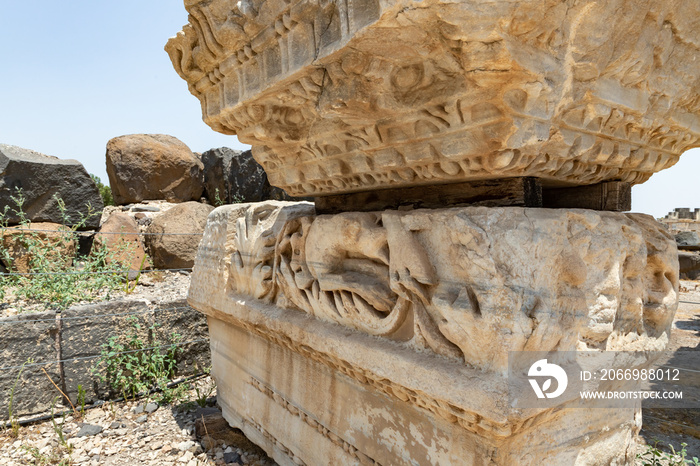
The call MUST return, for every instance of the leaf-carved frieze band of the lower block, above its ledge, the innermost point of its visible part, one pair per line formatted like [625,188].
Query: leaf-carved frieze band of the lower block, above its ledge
[468,283]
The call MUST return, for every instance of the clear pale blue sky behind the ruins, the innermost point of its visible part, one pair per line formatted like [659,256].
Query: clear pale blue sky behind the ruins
[77,73]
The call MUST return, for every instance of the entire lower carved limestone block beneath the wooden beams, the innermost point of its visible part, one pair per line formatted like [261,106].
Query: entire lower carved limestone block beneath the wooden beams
[408,318]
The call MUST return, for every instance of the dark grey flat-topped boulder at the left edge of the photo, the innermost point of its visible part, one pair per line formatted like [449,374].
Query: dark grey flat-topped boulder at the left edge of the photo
[40,177]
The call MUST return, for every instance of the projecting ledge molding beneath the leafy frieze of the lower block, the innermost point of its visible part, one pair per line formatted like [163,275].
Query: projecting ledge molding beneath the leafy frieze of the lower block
[475,416]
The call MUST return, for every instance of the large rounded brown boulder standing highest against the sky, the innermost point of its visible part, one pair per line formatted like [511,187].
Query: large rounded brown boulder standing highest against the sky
[152,166]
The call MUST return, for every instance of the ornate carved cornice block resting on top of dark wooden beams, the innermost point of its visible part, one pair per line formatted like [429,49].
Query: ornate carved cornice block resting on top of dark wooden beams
[353,95]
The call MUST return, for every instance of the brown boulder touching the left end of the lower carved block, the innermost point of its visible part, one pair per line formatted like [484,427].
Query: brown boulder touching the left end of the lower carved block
[173,237]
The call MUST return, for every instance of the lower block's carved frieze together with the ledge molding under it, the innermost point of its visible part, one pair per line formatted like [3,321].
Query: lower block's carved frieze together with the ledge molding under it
[610,282]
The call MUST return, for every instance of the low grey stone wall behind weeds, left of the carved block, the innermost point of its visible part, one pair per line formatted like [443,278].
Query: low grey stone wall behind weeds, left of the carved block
[112,322]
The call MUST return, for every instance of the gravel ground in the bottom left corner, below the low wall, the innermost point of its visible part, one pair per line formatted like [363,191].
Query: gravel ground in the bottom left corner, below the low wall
[126,433]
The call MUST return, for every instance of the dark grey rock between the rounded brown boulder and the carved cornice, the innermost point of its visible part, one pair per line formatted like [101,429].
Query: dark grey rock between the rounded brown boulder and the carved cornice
[232,176]
